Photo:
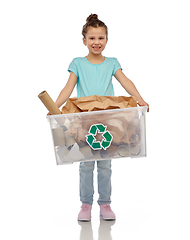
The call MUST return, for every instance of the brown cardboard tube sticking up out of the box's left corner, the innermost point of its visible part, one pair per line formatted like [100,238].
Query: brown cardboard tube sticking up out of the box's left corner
[49,103]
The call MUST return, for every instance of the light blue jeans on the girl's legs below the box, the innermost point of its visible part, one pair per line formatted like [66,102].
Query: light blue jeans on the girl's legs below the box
[104,182]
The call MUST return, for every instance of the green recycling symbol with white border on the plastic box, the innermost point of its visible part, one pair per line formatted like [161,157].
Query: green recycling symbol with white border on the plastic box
[91,140]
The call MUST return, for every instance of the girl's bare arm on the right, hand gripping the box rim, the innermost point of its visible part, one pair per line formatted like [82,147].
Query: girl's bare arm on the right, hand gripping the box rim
[129,86]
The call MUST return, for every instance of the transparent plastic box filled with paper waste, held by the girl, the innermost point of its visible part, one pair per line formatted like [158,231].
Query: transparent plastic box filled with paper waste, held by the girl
[99,135]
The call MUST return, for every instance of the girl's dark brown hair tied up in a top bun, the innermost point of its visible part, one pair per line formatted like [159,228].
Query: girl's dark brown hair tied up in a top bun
[93,21]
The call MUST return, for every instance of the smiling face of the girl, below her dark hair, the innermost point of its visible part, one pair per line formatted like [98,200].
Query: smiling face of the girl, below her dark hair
[95,40]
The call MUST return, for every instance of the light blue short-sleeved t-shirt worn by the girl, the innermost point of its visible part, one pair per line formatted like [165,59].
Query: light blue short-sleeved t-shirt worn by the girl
[94,79]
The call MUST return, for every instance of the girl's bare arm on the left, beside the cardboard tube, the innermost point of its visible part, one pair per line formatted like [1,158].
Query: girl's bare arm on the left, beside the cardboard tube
[67,90]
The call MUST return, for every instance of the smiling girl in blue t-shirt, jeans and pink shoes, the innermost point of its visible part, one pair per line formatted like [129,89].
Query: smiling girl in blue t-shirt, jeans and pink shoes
[93,76]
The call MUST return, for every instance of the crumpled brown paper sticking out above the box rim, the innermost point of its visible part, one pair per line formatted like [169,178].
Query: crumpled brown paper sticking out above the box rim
[96,103]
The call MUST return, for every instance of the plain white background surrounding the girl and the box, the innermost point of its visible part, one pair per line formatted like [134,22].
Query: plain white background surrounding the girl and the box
[39,38]
